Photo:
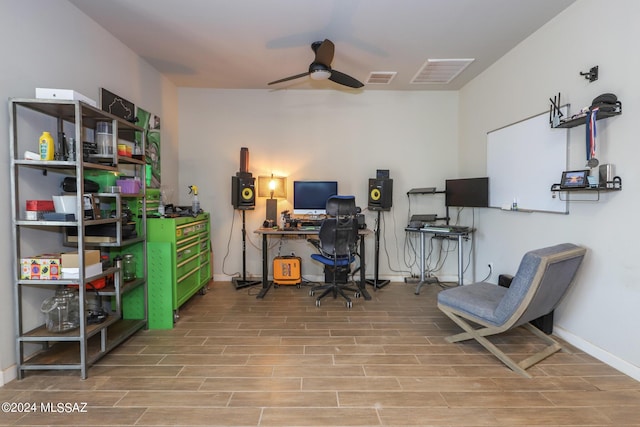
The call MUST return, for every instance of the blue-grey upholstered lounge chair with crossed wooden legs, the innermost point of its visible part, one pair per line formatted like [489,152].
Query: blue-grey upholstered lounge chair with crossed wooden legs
[542,279]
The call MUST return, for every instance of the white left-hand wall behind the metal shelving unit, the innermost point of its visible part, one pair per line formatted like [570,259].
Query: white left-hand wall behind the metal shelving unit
[49,43]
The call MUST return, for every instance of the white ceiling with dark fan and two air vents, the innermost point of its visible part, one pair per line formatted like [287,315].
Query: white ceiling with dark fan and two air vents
[244,44]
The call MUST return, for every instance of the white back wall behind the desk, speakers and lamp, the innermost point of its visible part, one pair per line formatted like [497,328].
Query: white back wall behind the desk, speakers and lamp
[320,134]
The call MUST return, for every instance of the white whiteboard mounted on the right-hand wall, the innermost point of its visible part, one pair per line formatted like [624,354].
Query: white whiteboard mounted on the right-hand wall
[523,161]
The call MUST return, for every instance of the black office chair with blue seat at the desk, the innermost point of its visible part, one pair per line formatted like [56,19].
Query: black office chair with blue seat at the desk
[337,244]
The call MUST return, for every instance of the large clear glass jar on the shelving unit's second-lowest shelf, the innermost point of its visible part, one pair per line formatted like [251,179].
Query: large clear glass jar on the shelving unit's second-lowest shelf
[62,311]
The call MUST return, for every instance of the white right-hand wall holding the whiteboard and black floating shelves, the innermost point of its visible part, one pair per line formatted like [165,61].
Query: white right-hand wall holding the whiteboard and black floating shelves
[601,312]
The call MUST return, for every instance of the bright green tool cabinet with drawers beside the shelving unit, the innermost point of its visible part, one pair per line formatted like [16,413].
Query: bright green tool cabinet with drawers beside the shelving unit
[179,265]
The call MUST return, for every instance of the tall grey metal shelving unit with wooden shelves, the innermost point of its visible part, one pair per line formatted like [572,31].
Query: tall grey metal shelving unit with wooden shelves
[38,348]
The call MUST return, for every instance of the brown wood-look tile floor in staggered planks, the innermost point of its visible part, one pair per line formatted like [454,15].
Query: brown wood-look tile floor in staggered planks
[234,360]
